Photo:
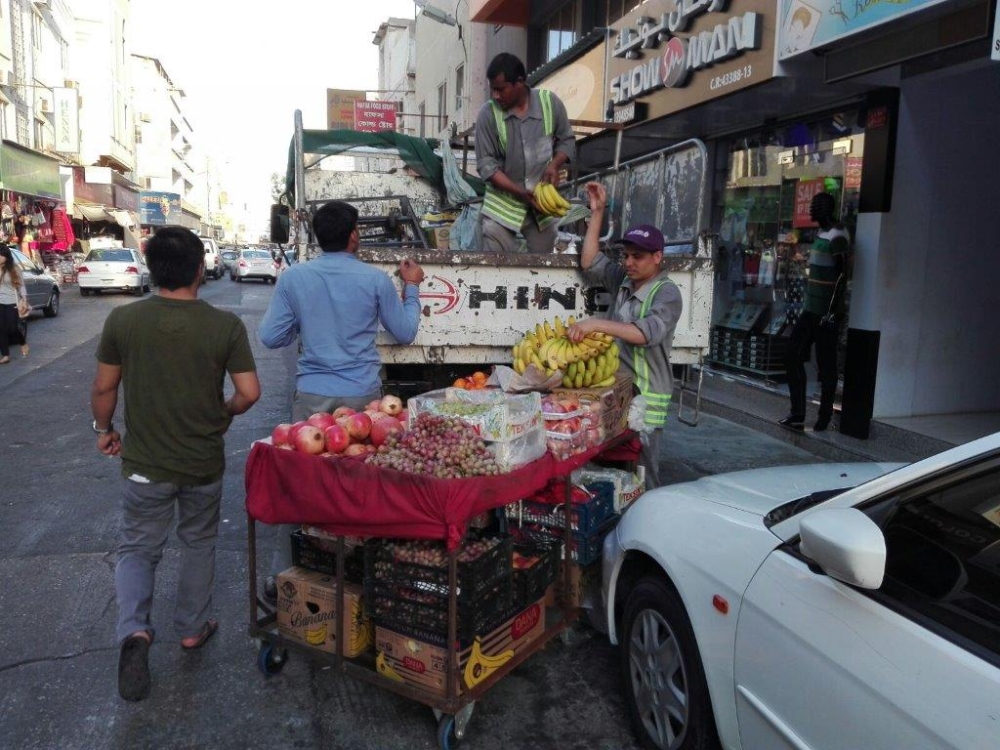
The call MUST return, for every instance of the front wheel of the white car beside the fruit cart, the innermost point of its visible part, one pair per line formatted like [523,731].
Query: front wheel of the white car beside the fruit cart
[664,679]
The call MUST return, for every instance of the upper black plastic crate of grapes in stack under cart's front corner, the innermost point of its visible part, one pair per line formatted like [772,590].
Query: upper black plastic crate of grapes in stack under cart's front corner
[388,561]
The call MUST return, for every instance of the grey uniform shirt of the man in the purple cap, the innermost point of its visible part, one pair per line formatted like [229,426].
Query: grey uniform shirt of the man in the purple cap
[658,326]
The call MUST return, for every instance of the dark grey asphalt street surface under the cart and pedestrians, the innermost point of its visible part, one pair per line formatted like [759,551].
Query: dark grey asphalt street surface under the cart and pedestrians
[59,521]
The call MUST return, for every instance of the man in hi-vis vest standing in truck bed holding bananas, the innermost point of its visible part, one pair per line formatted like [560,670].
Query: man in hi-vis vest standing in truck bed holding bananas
[523,139]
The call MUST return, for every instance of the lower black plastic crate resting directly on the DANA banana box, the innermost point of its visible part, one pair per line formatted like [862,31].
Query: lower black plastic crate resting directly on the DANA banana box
[424,615]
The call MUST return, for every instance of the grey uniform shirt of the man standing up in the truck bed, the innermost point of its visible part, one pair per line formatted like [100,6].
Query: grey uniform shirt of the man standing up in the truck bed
[528,148]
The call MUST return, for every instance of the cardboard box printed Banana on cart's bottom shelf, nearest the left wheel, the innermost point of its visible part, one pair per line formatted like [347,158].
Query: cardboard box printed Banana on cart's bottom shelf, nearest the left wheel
[307,611]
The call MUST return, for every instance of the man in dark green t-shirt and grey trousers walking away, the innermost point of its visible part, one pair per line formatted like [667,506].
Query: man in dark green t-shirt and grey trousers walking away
[171,354]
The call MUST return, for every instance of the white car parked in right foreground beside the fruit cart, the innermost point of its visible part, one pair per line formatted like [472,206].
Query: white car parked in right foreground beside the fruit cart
[835,607]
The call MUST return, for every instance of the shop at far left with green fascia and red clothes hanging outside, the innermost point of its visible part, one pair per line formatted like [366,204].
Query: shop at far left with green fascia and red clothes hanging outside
[32,208]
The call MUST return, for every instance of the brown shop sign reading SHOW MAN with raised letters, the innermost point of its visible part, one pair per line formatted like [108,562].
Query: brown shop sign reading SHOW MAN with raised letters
[675,55]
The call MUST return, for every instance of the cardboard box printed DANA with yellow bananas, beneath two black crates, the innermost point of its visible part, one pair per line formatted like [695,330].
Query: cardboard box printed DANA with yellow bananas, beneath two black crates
[406,659]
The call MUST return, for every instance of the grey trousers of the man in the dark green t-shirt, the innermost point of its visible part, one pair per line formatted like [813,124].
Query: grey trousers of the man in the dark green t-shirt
[147,515]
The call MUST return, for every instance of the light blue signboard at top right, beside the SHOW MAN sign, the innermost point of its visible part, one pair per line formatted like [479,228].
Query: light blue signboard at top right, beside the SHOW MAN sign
[808,24]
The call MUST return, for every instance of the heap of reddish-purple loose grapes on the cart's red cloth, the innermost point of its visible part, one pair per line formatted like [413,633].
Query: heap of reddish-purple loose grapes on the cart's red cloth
[442,447]
